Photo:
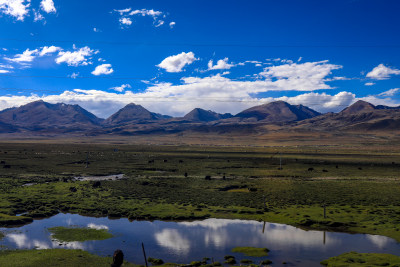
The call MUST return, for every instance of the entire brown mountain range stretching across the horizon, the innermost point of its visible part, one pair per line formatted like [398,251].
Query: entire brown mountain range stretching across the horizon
[42,117]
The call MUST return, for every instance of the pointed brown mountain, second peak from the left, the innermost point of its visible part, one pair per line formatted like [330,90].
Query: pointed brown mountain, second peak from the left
[133,113]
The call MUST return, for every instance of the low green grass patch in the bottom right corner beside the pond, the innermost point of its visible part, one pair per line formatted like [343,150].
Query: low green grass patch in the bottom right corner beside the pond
[353,259]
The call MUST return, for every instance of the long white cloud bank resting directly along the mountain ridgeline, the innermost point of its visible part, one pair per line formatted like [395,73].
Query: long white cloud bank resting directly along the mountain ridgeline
[103,104]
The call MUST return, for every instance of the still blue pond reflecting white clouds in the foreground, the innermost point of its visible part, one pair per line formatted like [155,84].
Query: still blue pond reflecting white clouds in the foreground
[183,242]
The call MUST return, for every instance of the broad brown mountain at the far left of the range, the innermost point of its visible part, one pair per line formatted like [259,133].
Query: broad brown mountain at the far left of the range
[40,115]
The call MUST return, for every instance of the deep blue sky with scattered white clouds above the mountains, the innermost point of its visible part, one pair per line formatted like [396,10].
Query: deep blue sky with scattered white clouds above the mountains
[173,56]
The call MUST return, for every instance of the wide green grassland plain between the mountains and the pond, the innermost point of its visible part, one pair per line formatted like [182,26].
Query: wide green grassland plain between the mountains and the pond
[358,184]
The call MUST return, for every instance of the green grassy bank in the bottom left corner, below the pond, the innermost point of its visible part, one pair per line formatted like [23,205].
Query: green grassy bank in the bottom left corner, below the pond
[53,257]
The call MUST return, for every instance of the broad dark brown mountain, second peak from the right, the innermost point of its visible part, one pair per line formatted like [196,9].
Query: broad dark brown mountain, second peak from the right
[278,111]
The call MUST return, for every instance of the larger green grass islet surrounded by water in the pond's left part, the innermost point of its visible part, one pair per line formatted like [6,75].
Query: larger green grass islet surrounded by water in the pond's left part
[69,234]
